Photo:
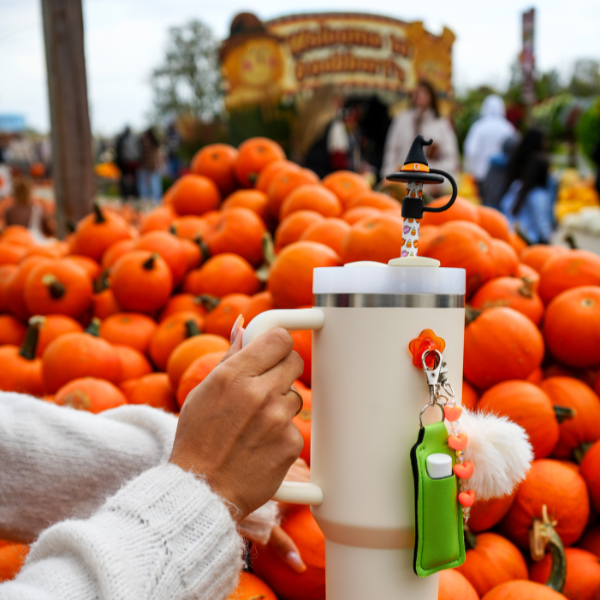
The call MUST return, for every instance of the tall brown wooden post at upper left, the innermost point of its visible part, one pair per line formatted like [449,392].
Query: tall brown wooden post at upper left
[72,164]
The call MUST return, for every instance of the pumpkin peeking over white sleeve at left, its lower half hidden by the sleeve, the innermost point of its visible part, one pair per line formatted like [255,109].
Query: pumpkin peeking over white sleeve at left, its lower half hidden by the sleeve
[91,394]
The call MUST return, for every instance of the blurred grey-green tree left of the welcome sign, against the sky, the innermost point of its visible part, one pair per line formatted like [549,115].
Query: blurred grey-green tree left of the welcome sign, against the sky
[188,82]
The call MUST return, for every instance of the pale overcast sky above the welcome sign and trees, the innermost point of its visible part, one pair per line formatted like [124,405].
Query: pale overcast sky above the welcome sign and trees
[125,39]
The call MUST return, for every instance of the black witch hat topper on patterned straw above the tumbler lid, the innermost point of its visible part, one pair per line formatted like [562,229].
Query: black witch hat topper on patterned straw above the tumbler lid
[415,173]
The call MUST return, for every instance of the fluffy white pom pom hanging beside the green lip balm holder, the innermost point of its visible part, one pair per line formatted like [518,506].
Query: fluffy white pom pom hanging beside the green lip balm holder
[499,450]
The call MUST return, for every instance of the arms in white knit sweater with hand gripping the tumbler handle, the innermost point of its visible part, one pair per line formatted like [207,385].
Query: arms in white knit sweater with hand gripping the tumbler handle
[171,530]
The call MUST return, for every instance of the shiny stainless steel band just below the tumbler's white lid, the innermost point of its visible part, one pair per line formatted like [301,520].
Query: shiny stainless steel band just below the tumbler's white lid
[389,300]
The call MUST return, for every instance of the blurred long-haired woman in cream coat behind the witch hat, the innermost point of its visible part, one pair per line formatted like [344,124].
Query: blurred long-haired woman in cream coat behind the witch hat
[423,118]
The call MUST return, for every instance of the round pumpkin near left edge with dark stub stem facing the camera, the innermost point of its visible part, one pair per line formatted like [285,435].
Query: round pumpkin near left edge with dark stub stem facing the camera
[58,287]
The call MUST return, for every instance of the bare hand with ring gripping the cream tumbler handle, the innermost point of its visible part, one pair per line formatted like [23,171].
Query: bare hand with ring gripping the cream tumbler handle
[236,430]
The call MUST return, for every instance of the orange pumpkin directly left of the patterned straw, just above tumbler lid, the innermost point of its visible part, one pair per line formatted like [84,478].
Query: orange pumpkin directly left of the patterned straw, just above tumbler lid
[378,239]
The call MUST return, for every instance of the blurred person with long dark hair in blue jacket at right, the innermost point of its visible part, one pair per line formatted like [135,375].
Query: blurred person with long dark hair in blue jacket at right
[528,202]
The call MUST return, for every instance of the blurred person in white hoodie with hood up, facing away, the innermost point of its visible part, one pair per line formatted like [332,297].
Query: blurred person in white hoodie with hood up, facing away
[485,138]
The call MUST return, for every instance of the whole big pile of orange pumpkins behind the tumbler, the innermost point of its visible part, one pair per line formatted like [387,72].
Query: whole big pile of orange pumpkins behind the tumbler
[118,313]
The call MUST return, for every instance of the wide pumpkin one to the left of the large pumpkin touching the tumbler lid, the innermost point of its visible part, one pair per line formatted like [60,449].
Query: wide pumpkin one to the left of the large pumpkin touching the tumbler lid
[221,275]
